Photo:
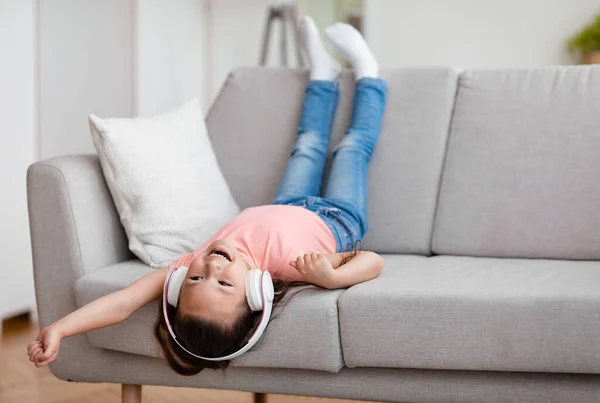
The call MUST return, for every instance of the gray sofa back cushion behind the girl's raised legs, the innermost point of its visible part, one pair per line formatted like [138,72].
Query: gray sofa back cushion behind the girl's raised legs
[252,126]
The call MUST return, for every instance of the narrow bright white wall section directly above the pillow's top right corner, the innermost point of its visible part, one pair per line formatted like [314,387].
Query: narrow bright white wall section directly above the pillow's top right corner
[169,66]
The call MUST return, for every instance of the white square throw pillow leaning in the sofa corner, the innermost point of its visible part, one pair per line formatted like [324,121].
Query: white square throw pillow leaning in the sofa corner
[165,181]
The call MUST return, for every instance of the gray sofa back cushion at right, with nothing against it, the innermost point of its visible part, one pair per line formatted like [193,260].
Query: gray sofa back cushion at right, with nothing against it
[521,174]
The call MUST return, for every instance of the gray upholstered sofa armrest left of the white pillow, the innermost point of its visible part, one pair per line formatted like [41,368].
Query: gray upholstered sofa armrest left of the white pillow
[74,228]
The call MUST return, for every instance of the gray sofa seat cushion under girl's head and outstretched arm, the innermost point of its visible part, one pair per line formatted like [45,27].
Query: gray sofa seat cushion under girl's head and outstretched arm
[284,345]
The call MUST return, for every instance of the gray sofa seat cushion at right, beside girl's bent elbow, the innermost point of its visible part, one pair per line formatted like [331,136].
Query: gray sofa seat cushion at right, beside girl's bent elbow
[466,313]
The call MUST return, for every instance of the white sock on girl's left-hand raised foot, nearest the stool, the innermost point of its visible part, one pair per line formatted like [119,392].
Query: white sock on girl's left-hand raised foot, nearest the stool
[323,66]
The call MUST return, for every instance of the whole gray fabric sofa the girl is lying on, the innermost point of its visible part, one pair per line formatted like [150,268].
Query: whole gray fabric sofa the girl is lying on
[484,199]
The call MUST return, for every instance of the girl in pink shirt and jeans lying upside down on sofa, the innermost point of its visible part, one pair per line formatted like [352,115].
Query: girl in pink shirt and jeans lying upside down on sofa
[300,237]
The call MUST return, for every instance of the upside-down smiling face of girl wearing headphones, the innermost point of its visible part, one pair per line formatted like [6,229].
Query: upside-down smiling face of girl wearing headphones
[215,287]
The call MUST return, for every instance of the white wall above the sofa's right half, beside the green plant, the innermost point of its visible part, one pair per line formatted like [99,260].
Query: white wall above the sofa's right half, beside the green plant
[474,33]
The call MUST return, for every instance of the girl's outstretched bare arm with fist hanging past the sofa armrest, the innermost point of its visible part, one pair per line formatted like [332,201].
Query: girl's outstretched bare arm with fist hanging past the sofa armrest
[105,311]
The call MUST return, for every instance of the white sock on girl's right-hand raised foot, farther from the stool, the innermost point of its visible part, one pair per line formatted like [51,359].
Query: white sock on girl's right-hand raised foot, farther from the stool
[350,43]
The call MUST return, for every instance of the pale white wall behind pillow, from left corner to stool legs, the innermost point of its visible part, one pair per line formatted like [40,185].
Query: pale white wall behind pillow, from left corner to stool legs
[138,57]
